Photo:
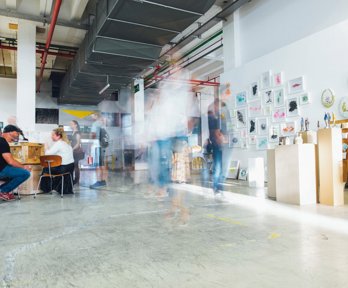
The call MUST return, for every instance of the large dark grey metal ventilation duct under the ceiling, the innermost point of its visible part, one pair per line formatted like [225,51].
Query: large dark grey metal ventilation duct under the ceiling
[125,37]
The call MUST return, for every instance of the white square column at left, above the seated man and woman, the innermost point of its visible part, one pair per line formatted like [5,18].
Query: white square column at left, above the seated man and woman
[26,75]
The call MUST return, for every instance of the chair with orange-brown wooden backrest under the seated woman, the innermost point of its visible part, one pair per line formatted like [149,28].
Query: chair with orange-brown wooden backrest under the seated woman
[50,161]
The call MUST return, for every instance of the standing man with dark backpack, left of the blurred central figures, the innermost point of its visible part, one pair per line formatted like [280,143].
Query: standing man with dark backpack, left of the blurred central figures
[98,128]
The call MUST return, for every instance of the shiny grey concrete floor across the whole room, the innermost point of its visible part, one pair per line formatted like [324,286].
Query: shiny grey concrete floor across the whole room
[126,235]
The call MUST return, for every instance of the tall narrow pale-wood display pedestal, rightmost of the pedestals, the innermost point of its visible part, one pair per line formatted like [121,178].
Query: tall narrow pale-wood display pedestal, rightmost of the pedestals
[331,190]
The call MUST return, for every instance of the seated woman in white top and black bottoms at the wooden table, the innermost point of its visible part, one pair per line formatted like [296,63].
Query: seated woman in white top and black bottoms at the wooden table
[62,148]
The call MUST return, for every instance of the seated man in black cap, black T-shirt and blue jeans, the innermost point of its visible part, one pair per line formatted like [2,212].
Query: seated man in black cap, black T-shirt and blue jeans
[15,172]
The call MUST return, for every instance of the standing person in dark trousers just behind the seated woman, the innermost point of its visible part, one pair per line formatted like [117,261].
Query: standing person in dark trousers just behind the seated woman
[77,149]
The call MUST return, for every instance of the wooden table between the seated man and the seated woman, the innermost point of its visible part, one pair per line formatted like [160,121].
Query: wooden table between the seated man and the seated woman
[29,154]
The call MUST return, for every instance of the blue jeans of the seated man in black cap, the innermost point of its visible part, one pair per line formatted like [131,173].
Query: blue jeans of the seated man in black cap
[16,177]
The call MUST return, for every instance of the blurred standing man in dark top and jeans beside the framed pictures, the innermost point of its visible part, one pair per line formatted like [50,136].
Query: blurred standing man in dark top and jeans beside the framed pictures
[218,138]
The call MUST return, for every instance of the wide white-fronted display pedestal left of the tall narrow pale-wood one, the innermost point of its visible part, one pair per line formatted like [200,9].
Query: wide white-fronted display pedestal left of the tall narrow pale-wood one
[295,174]
